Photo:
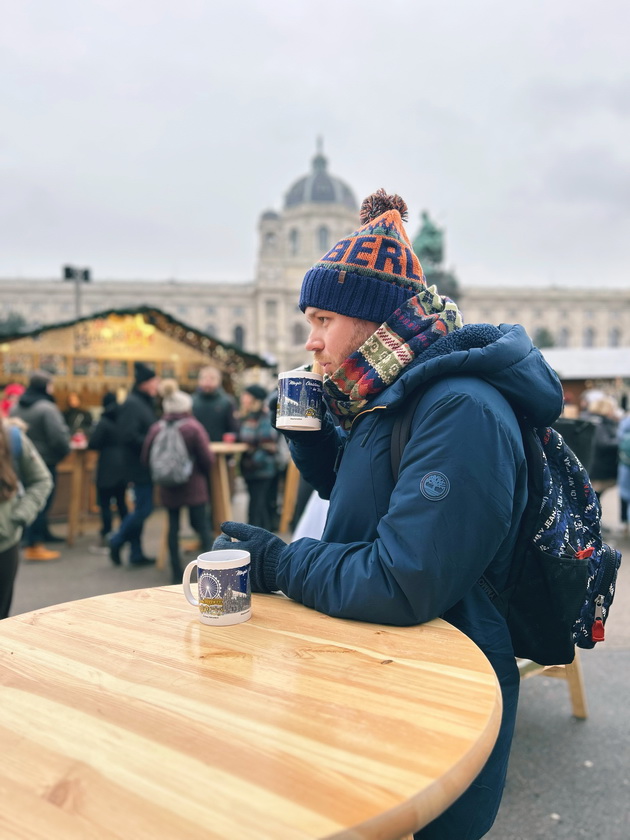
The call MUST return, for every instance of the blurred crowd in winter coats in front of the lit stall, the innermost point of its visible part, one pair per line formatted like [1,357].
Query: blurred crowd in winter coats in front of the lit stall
[124,434]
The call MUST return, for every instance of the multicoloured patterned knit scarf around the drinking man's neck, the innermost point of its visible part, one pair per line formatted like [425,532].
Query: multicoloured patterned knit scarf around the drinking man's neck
[407,333]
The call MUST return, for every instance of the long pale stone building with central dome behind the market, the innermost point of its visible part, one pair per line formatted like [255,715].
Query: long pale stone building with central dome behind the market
[262,316]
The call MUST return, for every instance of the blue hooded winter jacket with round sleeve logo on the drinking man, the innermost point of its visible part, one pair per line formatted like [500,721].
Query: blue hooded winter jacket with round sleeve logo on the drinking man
[406,552]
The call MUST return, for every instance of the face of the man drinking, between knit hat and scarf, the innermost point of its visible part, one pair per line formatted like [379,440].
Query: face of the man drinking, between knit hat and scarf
[334,337]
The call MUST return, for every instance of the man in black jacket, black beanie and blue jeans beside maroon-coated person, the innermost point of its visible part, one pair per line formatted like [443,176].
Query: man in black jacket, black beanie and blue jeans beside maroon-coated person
[135,416]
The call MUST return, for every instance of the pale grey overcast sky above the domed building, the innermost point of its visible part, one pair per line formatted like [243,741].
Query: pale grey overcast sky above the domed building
[143,138]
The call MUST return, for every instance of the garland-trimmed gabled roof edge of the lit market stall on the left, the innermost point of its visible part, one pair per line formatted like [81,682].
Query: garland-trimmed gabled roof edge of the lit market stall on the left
[228,354]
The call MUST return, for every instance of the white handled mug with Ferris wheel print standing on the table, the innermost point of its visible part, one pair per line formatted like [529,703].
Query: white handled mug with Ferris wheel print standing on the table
[223,586]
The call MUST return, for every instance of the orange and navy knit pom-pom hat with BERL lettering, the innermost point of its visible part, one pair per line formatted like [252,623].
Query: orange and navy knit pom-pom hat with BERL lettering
[373,271]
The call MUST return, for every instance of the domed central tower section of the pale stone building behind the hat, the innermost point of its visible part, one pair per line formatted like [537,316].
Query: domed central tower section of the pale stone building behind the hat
[319,209]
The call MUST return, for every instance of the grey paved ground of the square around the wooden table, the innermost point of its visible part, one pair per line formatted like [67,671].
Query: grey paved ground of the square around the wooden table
[568,779]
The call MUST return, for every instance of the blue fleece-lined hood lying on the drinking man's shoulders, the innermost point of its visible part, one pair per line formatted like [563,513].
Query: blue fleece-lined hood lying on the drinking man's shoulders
[503,356]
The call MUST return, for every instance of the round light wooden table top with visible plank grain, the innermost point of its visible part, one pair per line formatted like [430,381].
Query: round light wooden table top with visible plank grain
[122,716]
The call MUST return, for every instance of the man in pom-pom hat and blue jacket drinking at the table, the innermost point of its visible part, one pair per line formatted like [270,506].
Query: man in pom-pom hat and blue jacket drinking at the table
[403,552]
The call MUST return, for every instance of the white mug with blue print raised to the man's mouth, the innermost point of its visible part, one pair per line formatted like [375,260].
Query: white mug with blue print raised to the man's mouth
[299,401]
